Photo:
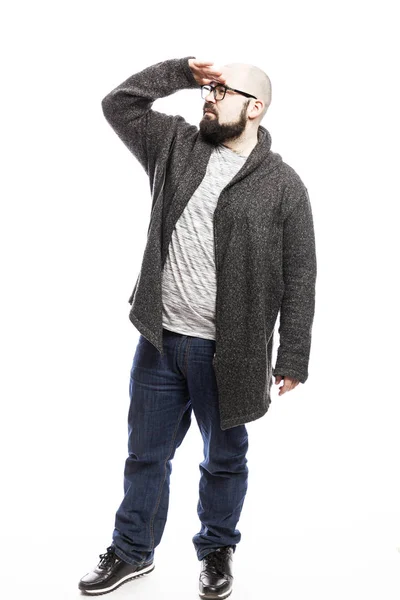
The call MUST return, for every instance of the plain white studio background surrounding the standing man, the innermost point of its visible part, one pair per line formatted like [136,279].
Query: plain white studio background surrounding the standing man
[321,517]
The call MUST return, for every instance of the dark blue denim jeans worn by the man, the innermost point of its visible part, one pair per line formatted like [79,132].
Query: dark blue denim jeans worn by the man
[163,390]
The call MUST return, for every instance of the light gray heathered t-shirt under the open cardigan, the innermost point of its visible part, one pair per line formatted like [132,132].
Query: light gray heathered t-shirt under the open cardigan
[189,278]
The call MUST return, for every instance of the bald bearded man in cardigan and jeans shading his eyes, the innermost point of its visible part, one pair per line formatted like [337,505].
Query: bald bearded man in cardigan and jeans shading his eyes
[230,245]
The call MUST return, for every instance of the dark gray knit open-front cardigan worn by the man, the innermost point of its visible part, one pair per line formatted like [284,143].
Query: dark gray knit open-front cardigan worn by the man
[263,242]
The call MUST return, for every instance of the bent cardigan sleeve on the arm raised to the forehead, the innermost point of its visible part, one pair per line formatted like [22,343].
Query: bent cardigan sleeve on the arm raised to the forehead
[128,109]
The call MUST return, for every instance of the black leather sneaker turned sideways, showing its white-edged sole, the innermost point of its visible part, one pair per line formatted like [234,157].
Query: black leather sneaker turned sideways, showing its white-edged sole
[110,573]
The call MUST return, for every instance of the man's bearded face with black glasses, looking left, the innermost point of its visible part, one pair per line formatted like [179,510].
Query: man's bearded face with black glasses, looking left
[226,119]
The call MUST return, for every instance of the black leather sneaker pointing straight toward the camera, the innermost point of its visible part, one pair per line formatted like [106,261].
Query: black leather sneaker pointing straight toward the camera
[216,576]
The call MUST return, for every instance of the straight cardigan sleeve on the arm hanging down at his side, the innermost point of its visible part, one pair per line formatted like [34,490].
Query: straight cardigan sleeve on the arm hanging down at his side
[298,302]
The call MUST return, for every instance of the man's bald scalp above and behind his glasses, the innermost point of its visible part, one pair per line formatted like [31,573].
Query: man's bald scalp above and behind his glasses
[250,79]
